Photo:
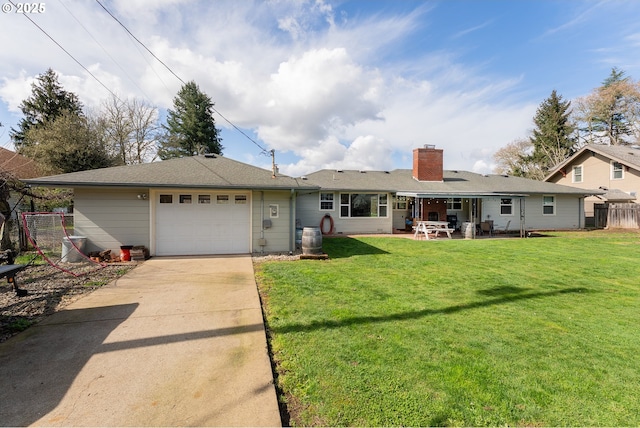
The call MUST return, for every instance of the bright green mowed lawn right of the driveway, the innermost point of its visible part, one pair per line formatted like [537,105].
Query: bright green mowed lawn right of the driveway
[391,331]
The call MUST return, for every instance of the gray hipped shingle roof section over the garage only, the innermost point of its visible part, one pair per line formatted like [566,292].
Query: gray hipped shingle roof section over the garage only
[197,171]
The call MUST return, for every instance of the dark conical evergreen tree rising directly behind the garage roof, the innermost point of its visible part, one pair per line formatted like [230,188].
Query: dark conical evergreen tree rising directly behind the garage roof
[191,128]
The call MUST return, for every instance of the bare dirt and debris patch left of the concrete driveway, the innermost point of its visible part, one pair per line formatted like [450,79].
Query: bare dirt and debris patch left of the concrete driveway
[49,290]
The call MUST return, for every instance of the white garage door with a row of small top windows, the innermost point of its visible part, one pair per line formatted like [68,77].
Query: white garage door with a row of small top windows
[192,223]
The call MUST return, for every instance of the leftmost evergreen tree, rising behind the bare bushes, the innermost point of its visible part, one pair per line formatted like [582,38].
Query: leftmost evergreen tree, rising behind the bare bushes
[47,102]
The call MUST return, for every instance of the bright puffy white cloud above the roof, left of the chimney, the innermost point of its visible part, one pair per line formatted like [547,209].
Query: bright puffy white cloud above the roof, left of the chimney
[314,96]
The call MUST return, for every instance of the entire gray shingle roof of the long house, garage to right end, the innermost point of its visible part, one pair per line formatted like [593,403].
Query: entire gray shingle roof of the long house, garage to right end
[220,172]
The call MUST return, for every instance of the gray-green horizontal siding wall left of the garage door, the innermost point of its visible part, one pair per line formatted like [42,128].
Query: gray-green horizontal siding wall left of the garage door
[111,218]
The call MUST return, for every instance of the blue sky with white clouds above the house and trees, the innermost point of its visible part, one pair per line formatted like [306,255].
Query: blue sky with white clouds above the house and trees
[332,84]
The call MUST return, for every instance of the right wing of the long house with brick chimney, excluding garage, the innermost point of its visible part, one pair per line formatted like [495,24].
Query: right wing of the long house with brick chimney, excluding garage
[382,201]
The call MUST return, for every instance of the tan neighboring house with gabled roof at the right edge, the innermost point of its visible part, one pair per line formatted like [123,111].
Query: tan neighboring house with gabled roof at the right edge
[615,170]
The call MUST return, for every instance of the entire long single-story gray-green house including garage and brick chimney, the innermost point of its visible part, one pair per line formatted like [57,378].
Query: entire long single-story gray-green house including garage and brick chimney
[214,205]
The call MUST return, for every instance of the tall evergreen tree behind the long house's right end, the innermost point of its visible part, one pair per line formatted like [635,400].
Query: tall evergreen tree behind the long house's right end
[553,138]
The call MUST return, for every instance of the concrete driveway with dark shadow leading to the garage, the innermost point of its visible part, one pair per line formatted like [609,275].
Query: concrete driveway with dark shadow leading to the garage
[175,342]
